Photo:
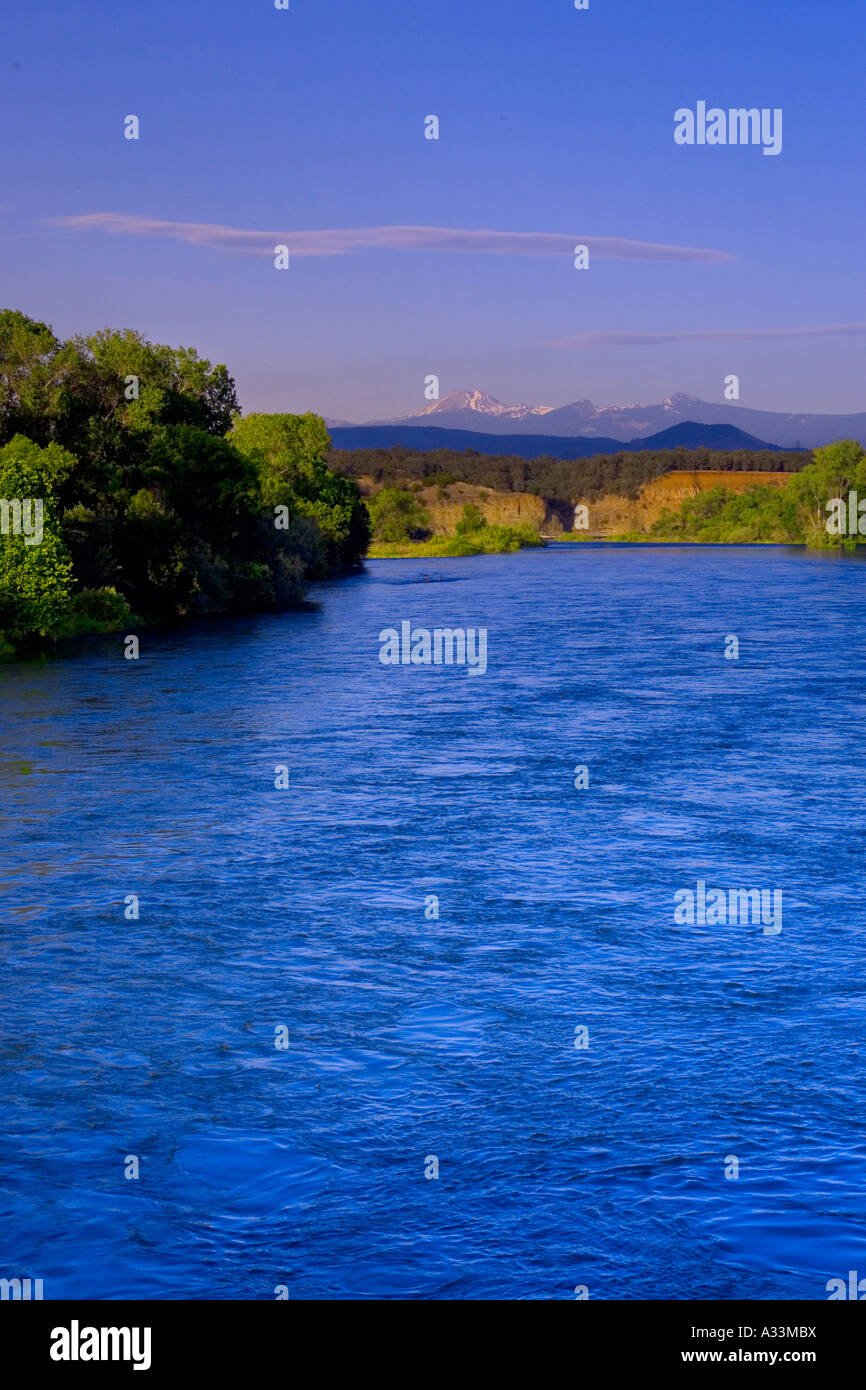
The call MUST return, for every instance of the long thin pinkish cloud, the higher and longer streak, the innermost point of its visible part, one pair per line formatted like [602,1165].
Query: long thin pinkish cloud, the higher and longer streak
[344,241]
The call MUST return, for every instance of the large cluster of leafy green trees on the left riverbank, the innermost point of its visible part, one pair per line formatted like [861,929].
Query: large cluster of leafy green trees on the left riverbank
[154,498]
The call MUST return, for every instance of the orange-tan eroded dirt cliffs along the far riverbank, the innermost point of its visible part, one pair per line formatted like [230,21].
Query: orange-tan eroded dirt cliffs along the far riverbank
[608,516]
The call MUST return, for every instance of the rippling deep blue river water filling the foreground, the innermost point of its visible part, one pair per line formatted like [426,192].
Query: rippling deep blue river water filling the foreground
[412,1038]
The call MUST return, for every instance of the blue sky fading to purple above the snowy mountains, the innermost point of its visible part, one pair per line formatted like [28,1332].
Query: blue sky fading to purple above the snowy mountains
[553,122]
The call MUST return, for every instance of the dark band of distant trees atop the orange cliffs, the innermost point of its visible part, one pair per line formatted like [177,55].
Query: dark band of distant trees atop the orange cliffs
[622,475]
